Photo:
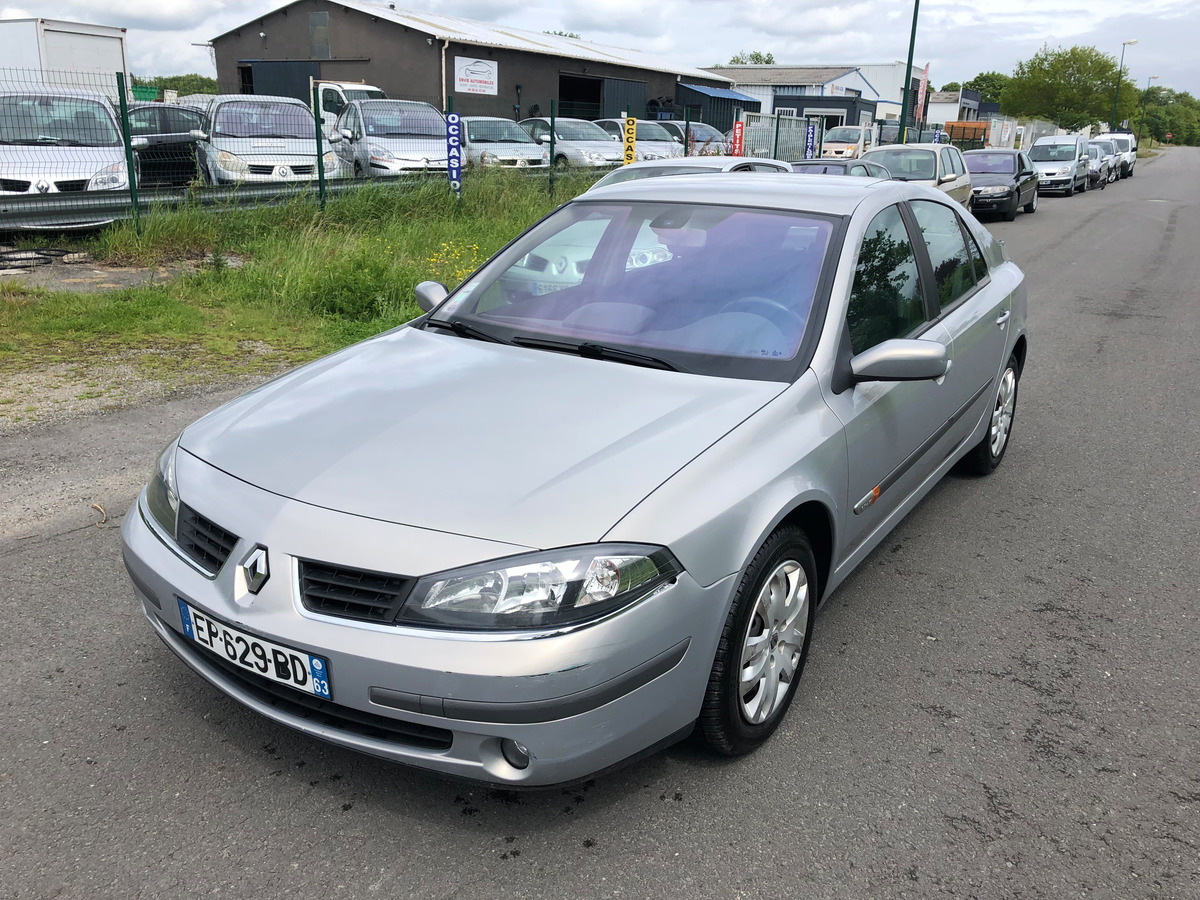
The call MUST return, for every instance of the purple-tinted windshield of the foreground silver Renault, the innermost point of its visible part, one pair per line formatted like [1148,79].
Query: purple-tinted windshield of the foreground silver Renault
[710,283]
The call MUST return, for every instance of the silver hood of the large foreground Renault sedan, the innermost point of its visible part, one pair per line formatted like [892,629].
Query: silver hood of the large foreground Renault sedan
[424,429]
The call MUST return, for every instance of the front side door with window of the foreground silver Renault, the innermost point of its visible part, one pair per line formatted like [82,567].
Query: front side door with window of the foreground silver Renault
[891,428]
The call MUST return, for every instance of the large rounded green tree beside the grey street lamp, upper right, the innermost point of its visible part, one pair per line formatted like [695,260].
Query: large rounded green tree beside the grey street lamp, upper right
[1072,88]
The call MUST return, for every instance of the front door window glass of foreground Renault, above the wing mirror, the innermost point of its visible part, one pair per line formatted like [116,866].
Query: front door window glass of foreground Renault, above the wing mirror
[886,301]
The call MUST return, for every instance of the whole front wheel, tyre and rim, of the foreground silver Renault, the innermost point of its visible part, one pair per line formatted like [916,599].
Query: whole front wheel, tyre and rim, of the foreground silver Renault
[764,646]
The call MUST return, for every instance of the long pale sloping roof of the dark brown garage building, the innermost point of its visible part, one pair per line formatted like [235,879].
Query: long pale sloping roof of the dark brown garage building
[485,34]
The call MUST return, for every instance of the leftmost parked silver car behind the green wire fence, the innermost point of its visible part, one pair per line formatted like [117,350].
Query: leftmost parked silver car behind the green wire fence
[61,141]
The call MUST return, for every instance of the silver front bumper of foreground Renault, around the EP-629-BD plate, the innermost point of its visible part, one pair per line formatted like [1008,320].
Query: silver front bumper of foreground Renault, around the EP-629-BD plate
[581,700]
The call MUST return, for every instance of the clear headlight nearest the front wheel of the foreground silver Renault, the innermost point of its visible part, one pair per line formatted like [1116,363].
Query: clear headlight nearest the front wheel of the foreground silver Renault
[542,590]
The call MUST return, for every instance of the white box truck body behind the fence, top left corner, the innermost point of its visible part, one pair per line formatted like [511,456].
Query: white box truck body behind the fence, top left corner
[62,55]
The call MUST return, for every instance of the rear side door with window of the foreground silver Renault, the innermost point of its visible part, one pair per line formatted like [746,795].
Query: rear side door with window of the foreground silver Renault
[974,311]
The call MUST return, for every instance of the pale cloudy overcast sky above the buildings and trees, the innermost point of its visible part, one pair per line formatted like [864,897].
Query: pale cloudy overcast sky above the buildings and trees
[959,40]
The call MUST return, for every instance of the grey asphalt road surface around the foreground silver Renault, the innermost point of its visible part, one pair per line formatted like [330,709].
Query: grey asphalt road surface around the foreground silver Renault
[1003,703]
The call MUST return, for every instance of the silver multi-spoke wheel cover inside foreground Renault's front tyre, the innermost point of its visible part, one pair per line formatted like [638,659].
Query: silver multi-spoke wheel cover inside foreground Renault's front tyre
[773,643]
